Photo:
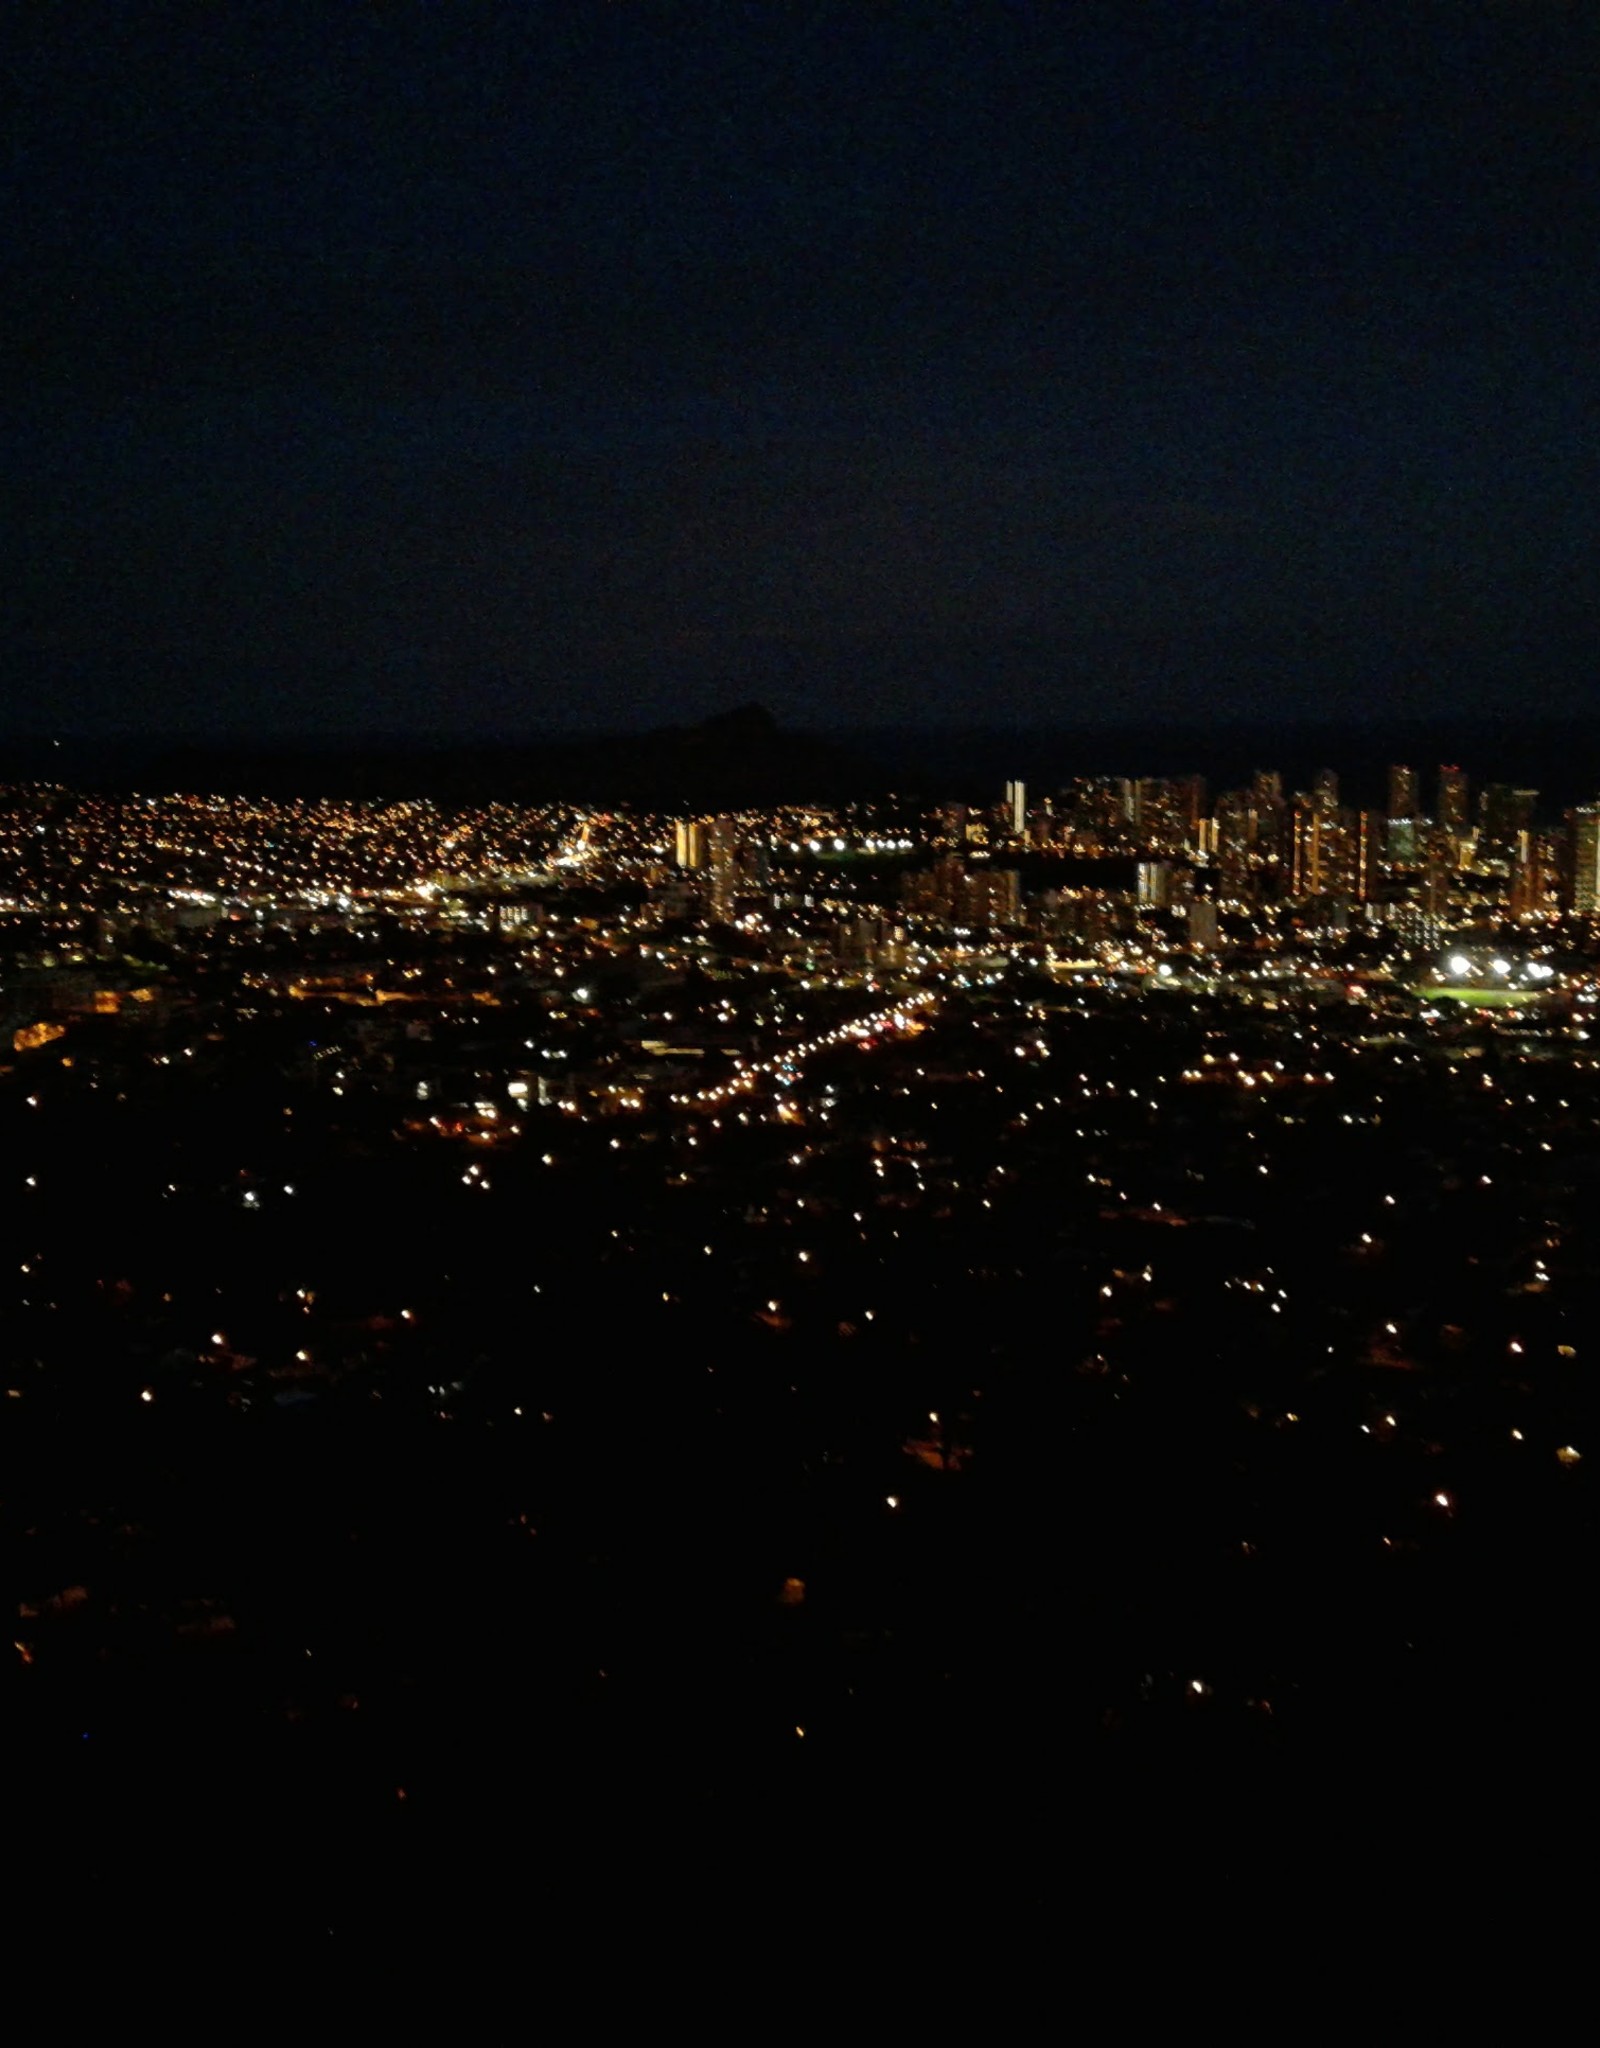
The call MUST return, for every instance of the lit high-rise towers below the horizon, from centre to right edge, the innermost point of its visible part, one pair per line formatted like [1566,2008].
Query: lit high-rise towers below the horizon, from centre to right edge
[1103,851]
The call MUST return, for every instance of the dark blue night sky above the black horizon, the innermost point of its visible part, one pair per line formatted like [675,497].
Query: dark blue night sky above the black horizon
[509,368]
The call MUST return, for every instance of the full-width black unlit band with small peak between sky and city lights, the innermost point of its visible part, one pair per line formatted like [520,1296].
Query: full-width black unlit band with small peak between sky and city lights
[747,759]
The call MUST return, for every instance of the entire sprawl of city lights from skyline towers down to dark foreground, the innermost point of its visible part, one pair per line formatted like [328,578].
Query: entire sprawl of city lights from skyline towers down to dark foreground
[503,1293]
